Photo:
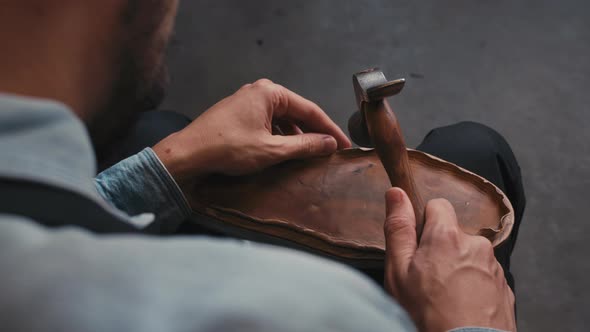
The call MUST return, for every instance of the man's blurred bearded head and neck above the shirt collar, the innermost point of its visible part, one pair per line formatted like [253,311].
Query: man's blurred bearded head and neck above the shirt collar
[103,58]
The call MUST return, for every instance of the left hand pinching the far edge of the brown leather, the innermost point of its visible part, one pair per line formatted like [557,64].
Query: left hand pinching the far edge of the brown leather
[235,136]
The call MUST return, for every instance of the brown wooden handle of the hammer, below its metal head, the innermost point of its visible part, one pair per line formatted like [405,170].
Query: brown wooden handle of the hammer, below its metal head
[389,143]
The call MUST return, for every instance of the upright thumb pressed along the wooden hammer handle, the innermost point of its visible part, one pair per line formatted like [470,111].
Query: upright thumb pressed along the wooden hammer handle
[400,232]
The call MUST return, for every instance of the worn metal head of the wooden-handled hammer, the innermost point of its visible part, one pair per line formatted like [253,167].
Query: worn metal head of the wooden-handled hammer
[369,86]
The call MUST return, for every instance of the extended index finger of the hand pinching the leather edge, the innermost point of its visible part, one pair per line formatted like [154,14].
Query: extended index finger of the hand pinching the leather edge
[300,110]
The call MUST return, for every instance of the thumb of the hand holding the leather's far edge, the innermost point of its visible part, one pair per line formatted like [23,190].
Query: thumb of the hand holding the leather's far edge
[306,145]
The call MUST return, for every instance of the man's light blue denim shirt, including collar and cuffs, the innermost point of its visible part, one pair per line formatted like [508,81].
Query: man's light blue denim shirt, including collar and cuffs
[69,279]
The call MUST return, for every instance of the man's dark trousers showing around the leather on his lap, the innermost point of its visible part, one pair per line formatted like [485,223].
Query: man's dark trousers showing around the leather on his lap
[470,145]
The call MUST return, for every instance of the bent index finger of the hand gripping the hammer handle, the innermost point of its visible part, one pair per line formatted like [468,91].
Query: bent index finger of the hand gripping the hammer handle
[440,222]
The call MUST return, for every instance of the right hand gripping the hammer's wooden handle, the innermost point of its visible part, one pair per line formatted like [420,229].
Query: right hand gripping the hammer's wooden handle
[448,280]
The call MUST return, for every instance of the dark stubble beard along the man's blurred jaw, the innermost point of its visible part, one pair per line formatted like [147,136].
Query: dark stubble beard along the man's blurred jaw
[140,85]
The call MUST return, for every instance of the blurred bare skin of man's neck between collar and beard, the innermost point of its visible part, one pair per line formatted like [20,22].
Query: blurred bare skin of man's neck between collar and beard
[51,53]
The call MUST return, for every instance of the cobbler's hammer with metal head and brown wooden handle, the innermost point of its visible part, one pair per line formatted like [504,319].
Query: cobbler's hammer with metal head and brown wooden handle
[375,125]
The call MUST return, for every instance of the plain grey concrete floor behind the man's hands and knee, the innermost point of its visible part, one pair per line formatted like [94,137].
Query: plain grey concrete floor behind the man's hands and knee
[521,67]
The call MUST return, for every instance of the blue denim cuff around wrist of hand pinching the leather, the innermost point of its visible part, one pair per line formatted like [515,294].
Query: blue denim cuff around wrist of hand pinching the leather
[141,184]
